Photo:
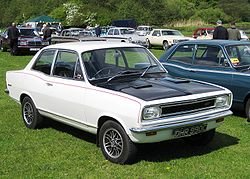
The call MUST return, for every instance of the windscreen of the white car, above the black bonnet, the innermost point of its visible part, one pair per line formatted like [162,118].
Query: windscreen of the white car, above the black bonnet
[118,62]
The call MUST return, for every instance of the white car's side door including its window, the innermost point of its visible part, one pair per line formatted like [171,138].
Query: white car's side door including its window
[67,91]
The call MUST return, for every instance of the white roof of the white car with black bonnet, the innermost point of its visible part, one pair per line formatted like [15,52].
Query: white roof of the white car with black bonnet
[89,45]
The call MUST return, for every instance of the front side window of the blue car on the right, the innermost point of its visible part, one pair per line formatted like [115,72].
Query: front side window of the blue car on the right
[209,56]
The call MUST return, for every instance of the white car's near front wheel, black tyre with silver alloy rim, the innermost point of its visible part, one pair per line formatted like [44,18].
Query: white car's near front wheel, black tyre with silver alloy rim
[115,144]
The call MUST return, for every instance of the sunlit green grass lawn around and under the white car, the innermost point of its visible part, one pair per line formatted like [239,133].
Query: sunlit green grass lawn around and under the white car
[59,151]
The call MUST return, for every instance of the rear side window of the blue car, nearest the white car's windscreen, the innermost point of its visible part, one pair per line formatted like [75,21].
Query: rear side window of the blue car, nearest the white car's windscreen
[183,54]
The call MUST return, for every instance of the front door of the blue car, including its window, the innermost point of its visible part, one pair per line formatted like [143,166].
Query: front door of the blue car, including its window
[210,65]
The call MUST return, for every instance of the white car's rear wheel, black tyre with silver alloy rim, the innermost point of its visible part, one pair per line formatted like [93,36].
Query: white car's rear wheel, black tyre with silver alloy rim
[31,117]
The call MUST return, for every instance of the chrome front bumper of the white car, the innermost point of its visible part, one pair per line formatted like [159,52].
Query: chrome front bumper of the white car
[200,119]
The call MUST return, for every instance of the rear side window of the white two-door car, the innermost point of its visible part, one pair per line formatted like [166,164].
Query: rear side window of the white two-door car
[44,61]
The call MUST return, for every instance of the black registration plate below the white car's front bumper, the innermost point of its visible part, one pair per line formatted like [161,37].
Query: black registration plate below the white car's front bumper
[188,131]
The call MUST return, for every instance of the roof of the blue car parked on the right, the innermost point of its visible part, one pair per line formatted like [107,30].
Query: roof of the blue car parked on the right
[215,42]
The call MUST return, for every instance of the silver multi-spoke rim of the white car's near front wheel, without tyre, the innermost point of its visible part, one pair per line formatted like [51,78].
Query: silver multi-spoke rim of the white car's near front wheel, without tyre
[113,143]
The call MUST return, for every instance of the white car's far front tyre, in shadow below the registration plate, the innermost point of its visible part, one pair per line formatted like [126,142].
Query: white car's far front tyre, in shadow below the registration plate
[201,139]
